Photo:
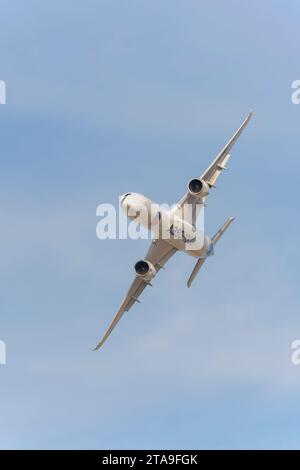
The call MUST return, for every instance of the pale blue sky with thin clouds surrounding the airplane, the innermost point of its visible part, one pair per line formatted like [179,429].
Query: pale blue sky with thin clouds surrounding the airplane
[108,97]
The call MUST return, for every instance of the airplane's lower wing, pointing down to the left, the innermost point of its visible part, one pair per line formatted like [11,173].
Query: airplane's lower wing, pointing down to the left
[158,254]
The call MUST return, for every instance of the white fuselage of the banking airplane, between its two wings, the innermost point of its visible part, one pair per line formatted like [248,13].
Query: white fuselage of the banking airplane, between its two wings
[166,224]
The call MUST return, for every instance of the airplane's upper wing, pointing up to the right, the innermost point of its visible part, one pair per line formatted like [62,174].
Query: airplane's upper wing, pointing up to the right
[212,173]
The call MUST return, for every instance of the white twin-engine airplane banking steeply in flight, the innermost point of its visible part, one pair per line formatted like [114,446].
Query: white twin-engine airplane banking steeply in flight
[174,230]
